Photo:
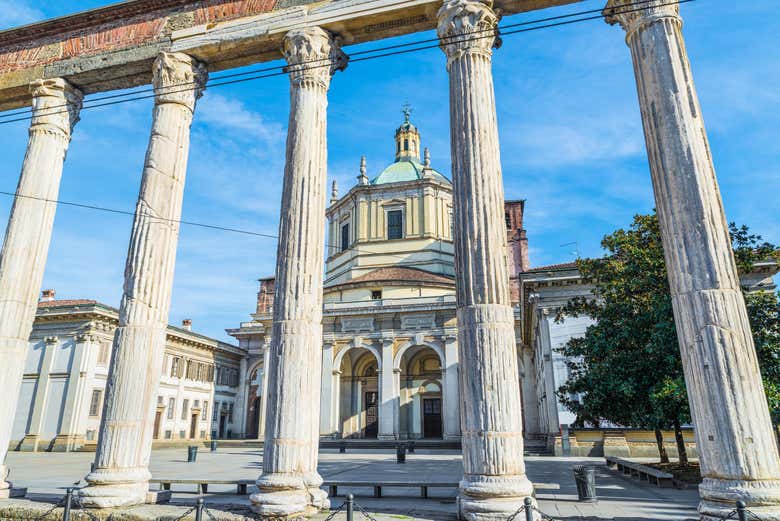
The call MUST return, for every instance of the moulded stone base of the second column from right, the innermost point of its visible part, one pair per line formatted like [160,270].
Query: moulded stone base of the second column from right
[493,498]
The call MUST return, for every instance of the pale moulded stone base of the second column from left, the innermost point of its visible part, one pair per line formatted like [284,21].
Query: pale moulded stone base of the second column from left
[110,489]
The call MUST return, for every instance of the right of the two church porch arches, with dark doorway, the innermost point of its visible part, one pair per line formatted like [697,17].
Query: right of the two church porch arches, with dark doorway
[421,410]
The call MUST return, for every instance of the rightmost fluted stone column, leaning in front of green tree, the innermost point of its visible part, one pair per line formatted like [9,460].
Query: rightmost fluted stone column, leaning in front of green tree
[734,437]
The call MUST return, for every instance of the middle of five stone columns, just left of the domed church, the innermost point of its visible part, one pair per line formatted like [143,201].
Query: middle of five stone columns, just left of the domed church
[289,485]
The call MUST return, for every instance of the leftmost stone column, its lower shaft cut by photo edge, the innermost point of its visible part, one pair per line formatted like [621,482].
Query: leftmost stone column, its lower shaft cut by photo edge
[56,105]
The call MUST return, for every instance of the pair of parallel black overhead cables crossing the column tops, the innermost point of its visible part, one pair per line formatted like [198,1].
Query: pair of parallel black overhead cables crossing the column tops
[283,69]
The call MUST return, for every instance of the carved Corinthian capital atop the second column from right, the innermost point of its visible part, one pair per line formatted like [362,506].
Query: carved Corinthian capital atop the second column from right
[467,26]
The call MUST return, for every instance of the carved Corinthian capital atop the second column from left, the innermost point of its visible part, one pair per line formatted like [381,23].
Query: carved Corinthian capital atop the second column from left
[178,78]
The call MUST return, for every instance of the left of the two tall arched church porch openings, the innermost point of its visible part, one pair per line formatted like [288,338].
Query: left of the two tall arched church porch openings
[359,394]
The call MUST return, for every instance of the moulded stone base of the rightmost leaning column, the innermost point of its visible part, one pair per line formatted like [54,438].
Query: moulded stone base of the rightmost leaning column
[719,498]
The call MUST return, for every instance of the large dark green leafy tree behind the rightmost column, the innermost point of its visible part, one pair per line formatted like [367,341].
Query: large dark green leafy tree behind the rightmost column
[627,368]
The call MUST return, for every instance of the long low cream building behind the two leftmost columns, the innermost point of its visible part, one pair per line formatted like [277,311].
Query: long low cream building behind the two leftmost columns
[61,400]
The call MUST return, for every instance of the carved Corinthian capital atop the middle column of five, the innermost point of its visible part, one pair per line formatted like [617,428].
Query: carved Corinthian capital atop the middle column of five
[313,56]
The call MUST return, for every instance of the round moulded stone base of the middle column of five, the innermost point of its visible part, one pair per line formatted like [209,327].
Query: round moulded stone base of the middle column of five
[288,496]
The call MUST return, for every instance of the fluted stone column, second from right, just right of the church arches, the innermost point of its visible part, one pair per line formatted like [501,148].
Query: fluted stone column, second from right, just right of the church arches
[494,482]
